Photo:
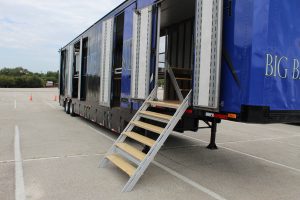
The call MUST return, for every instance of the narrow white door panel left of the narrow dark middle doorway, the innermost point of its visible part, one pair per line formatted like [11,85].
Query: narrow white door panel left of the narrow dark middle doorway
[106,61]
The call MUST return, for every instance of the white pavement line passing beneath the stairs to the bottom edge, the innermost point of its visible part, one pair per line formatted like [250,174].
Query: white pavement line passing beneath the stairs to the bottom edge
[174,173]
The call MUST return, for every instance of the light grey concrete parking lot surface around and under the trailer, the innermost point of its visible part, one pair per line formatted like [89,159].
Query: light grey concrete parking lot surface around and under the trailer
[46,154]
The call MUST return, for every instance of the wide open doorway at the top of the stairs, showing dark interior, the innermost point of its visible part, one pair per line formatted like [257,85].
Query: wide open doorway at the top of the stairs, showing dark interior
[176,46]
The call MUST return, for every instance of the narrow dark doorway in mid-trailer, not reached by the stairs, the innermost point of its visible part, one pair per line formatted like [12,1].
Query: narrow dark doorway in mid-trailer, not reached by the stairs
[117,60]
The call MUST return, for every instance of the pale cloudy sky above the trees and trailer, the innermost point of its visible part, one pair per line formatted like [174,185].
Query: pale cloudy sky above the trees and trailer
[32,31]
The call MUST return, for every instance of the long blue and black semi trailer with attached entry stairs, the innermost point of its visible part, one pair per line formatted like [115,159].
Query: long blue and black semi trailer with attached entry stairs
[150,67]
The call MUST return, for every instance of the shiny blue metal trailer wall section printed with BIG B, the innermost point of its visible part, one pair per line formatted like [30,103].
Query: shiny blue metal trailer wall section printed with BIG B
[261,59]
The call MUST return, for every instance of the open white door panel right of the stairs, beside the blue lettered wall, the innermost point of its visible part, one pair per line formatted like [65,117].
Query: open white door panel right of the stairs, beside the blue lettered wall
[208,52]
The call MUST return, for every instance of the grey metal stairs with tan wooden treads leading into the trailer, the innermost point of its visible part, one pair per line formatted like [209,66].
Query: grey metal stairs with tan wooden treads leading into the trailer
[133,161]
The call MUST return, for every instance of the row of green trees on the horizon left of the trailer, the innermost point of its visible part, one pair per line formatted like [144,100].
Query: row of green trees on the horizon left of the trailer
[22,78]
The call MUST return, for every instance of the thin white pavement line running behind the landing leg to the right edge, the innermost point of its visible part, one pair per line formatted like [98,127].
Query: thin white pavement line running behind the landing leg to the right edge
[245,154]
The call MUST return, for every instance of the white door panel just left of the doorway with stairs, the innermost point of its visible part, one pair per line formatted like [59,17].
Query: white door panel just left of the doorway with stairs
[141,53]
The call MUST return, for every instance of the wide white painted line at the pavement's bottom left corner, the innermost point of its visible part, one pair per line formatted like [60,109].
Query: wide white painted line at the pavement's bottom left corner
[19,178]
